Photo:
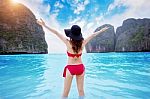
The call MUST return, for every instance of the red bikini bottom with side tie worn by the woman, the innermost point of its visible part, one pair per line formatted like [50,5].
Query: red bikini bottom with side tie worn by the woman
[74,69]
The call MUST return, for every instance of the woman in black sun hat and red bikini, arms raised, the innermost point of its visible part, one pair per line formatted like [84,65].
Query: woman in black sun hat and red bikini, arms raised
[75,47]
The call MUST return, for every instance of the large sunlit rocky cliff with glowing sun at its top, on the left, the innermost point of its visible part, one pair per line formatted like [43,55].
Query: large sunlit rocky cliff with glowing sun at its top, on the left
[19,32]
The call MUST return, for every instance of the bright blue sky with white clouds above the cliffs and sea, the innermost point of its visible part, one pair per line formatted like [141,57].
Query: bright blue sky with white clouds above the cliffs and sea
[88,14]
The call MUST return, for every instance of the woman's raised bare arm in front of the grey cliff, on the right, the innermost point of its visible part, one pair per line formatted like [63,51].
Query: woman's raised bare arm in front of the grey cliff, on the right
[94,35]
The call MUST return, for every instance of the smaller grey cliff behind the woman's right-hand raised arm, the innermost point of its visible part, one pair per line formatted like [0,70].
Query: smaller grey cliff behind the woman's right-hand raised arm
[104,42]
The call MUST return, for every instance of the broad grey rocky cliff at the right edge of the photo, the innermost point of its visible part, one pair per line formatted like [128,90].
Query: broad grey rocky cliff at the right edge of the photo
[133,35]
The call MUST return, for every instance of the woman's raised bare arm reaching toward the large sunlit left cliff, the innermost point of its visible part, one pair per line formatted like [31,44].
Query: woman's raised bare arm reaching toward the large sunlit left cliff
[42,23]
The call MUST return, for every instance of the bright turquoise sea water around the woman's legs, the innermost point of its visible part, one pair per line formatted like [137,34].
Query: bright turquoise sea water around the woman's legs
[108,76]
